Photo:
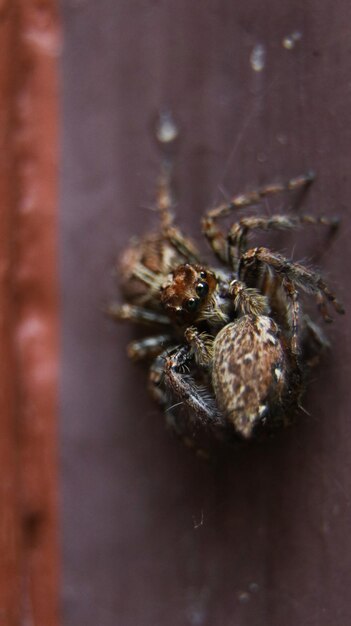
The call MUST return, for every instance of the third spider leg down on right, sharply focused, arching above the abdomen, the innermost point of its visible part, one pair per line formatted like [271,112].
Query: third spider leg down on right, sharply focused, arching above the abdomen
[300,276]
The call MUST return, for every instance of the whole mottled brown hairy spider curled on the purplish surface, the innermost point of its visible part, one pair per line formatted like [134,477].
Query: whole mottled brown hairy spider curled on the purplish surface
[231,342]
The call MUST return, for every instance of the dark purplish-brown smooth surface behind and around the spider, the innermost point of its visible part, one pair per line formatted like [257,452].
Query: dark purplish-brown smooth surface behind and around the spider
[151,534]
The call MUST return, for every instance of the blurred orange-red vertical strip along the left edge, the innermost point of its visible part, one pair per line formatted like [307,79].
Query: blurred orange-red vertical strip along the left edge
[29,47]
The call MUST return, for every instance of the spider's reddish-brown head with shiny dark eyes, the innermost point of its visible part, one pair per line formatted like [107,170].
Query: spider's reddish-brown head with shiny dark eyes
[188,292]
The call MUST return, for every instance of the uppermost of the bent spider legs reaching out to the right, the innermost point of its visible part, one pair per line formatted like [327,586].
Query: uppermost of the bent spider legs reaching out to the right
[216,237]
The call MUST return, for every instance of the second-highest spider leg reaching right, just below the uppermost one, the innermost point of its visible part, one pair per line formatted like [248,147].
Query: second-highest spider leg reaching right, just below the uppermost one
[239,231]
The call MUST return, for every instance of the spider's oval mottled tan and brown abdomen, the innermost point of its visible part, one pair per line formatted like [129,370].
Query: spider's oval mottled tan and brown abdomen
[250,372]
